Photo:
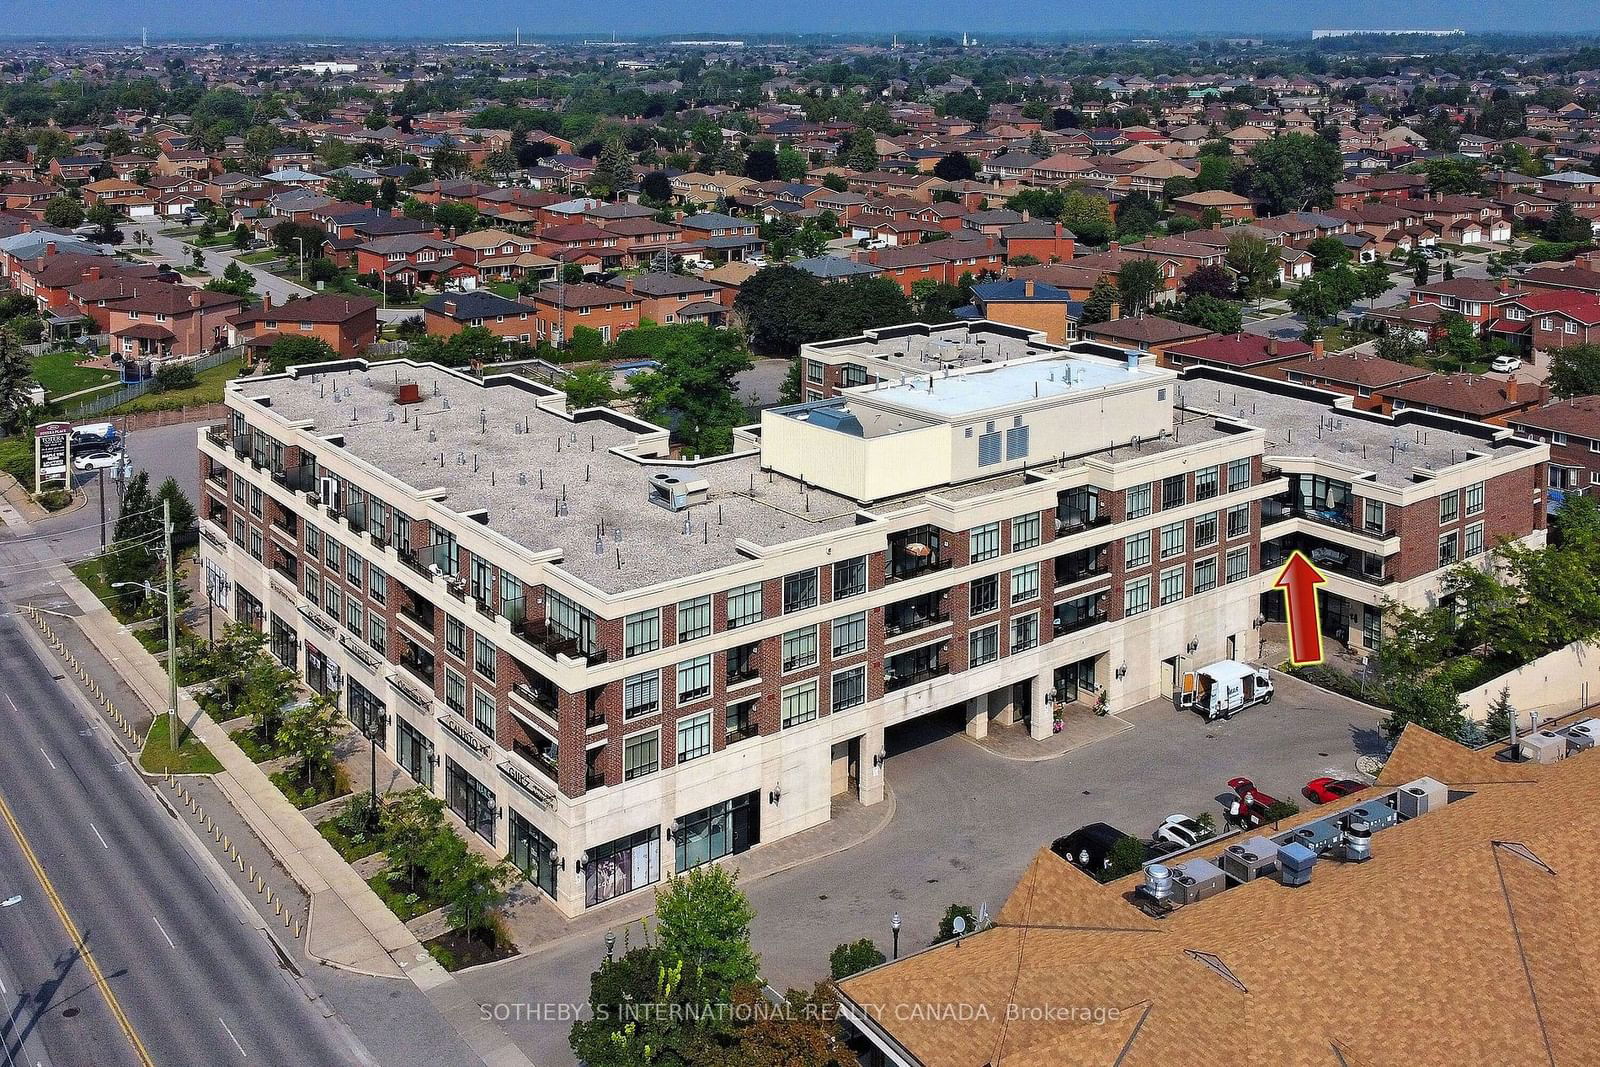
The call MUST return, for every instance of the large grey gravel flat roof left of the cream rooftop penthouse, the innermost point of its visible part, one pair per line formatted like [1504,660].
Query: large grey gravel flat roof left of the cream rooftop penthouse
[558,484]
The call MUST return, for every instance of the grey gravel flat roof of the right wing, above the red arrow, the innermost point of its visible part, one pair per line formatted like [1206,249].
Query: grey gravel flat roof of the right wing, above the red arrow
[1313,430]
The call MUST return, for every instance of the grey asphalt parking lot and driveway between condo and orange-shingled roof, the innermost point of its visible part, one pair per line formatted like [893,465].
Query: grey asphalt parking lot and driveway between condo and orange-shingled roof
[969,821]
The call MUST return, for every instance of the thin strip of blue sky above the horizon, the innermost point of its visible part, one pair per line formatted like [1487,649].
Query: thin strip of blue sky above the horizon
[466,18]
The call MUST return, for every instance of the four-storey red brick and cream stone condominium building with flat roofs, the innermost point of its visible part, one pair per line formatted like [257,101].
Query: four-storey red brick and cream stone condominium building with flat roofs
[615,665]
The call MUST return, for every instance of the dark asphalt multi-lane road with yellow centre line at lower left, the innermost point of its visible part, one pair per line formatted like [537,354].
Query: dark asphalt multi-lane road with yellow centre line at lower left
[183,956]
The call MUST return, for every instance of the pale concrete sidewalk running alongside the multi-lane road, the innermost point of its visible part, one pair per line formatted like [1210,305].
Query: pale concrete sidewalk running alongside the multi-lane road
[350,925]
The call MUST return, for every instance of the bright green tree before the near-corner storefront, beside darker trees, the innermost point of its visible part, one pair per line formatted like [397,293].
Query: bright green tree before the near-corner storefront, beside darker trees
[703,922]
